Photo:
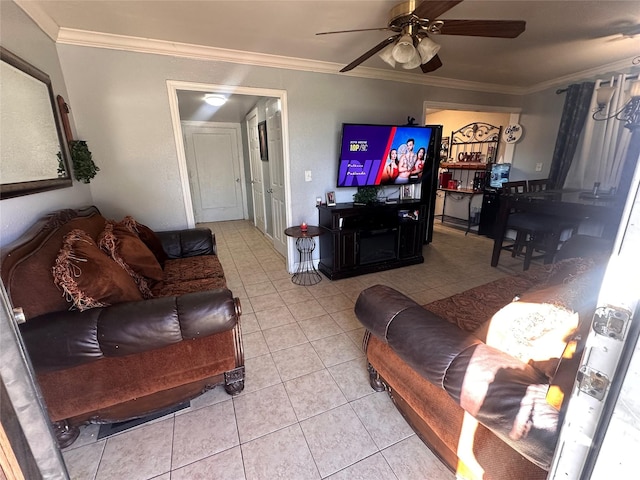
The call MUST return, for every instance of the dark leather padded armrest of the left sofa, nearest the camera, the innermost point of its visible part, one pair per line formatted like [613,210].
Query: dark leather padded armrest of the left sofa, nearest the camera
[63,339]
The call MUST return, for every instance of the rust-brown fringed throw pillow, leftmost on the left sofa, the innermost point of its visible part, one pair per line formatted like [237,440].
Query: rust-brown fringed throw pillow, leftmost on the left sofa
[88,277]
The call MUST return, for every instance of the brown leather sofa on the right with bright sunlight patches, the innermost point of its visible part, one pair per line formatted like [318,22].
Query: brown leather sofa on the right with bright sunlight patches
[482,377]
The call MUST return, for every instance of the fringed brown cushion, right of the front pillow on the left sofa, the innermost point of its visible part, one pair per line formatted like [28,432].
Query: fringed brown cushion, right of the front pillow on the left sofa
[128,251]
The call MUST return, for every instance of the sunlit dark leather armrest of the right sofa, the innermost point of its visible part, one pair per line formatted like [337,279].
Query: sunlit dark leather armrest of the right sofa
[501,392]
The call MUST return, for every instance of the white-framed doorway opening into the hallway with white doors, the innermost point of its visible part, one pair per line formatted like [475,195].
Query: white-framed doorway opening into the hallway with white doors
[221,177]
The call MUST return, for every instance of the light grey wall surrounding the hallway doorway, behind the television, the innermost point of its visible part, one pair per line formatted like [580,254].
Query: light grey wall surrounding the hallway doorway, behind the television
[121,108]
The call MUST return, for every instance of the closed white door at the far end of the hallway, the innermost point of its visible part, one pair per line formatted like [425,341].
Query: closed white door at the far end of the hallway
[213,153]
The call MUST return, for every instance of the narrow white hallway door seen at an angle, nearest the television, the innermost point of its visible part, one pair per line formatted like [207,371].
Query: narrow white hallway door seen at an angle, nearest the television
[276,174]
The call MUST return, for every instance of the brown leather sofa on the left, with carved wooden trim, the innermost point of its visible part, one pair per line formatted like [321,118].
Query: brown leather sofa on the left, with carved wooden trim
[126,359]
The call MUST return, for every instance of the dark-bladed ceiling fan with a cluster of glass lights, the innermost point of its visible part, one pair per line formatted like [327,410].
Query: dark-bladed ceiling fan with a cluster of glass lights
[410,45]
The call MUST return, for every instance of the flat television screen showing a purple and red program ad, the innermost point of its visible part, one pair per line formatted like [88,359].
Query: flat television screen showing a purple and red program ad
[383,154]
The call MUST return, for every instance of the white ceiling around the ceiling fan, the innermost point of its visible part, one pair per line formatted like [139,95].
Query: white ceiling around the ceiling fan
[562,38]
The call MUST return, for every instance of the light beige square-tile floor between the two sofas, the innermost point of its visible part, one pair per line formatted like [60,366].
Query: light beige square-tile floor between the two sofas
[307,410]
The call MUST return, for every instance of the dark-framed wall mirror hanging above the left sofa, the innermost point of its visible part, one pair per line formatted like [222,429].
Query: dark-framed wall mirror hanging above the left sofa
[33,151]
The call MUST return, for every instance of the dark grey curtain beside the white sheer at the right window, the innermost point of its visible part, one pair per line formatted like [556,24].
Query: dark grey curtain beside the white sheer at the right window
[574,115]
